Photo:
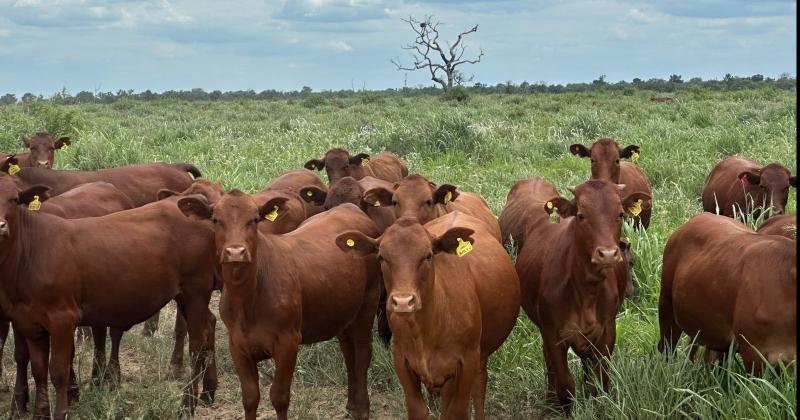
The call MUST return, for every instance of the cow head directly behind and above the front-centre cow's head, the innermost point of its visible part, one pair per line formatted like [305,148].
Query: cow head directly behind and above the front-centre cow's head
[414,196]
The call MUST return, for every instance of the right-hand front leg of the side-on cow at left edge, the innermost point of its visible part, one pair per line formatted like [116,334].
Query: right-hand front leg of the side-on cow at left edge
[62,350]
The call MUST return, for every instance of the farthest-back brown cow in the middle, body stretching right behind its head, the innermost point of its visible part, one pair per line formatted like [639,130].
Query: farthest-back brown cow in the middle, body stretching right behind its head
[338,164]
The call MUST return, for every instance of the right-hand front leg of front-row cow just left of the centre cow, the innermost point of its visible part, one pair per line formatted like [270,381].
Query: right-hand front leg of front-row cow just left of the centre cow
[285,356]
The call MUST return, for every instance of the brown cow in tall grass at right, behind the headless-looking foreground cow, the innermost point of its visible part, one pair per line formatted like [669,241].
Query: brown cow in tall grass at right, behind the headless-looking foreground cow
[735,178]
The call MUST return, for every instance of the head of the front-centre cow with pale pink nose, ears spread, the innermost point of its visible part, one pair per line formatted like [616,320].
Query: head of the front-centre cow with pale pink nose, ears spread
[406,253]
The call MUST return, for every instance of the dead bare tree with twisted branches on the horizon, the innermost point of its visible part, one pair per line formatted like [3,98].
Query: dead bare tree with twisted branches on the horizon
[428,53]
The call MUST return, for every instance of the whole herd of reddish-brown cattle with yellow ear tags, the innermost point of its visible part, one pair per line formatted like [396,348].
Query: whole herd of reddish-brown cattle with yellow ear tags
[302,262]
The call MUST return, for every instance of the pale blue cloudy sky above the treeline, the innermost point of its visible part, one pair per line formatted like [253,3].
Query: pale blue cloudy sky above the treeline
[106,45]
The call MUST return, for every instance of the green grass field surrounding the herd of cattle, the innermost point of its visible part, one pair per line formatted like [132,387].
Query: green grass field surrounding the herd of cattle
[482,145]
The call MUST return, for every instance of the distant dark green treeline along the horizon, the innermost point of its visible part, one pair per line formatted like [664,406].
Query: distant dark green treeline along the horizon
[673,84]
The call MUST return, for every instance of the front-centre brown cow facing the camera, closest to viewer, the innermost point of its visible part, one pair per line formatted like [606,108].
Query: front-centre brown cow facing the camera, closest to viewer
[453,300]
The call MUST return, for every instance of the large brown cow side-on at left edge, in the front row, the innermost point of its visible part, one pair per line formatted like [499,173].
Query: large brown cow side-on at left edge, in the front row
[114,270]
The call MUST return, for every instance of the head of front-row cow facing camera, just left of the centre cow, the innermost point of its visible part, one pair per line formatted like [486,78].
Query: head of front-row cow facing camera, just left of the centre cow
[235,218]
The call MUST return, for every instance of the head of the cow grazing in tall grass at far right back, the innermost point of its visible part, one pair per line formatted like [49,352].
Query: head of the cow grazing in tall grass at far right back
[771,183]
